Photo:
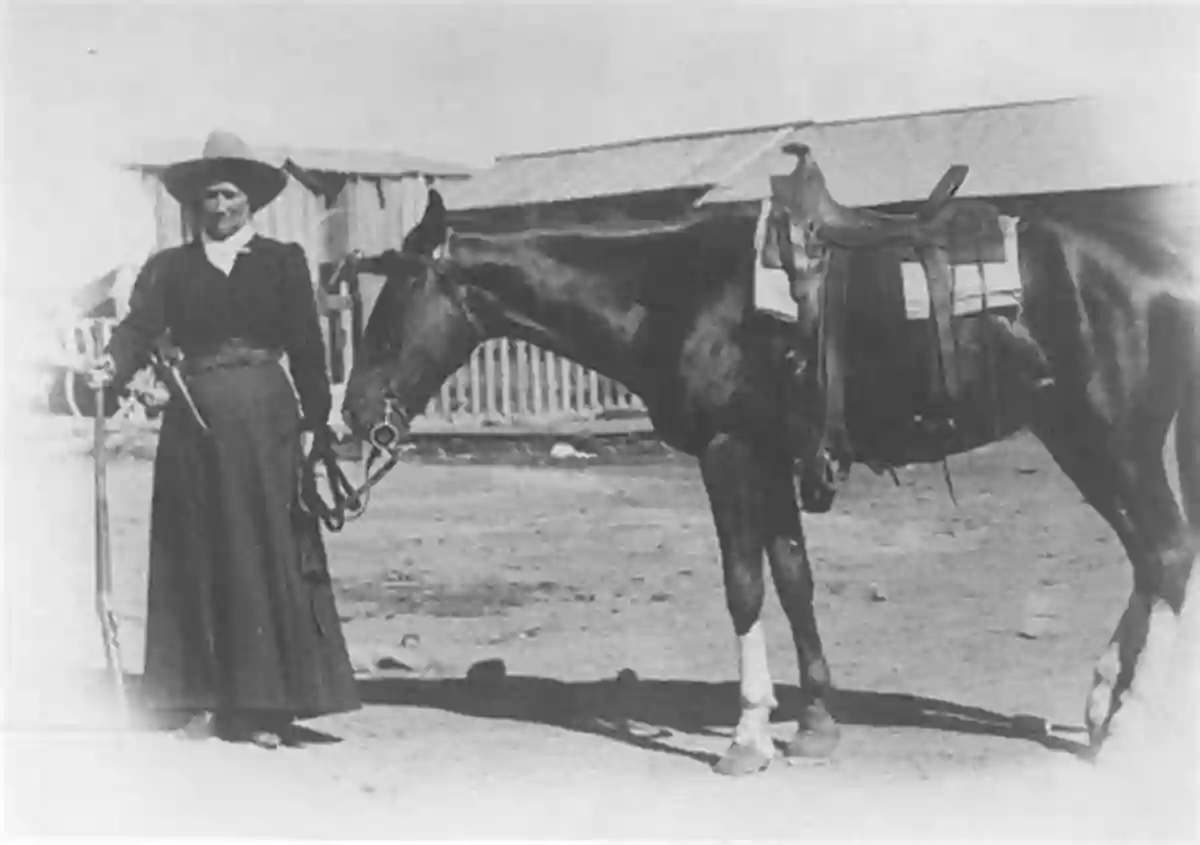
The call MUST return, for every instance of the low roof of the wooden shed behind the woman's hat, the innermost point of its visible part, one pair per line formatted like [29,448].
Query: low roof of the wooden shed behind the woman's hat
[357,163]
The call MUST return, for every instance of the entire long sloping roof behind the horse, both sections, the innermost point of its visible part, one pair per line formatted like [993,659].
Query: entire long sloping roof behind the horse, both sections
[1046,147]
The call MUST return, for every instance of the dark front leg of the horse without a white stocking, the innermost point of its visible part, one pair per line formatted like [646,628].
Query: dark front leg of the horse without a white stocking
[787,553]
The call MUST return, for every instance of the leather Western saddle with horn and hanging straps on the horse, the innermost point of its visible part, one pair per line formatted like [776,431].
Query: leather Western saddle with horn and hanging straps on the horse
[943,233]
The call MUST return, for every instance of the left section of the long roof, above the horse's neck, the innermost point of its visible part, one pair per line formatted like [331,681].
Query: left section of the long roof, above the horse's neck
[641,166]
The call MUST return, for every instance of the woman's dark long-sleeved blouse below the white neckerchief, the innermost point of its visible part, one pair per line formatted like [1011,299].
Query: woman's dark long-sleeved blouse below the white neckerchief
[267,302]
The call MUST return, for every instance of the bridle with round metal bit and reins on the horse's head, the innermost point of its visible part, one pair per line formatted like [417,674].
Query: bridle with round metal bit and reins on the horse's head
[385,438]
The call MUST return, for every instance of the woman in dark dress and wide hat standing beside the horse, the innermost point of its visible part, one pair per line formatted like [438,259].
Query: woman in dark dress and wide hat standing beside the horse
[243,637]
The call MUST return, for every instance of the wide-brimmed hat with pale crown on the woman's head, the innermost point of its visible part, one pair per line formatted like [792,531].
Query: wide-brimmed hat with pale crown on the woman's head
[226,158]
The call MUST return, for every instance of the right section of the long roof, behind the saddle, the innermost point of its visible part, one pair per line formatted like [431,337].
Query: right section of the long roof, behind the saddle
[1076,145]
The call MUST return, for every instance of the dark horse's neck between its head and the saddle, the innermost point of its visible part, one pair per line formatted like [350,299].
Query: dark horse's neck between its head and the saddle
[611,304]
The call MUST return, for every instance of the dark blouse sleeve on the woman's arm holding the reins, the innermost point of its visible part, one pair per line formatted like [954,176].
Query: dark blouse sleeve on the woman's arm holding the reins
[303,340]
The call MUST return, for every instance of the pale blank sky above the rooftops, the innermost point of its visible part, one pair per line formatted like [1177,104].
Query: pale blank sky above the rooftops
[86,85]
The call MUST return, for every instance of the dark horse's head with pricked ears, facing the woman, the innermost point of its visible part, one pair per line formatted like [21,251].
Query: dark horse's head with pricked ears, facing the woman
[421,331]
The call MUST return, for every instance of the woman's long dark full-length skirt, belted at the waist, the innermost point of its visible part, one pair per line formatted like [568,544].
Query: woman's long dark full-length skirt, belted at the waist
[242,613]
